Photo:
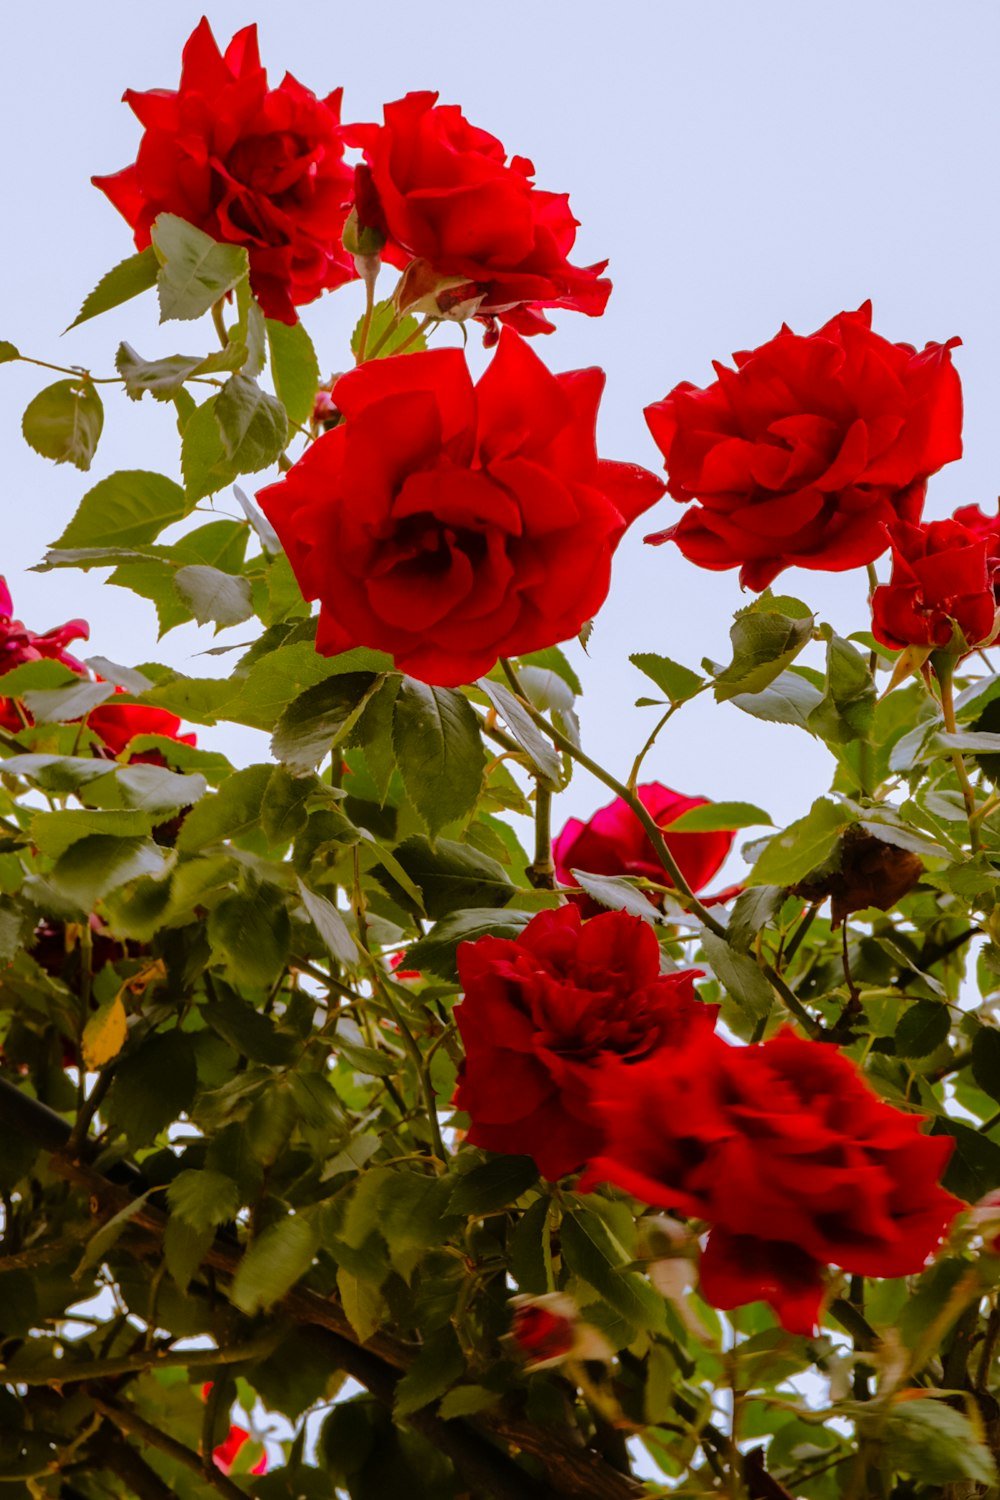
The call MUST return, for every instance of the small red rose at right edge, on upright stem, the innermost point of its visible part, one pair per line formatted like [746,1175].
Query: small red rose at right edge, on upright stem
[941,593]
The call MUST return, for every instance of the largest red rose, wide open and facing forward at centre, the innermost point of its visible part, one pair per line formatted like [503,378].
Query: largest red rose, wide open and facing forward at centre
[451,524]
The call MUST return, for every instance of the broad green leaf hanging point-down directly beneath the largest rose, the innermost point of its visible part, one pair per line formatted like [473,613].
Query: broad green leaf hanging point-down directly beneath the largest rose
[440,752]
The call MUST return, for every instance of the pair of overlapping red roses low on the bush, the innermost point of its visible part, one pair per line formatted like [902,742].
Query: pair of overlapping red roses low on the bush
[582,1054]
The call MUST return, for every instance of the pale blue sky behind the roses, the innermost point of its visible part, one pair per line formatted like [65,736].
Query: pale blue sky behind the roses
[741,164]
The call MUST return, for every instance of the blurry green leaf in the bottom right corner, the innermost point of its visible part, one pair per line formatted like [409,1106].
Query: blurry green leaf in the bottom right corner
[936,1444]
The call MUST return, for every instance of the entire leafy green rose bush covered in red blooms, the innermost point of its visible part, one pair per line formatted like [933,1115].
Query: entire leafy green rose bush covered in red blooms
[301,1058]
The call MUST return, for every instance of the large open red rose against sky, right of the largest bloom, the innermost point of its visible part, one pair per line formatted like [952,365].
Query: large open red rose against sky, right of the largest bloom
[807,449]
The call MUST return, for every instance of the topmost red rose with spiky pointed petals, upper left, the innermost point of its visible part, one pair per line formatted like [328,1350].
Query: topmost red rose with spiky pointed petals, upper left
[248,164]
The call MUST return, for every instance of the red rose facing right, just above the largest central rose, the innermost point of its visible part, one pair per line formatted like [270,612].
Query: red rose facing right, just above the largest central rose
[443,191]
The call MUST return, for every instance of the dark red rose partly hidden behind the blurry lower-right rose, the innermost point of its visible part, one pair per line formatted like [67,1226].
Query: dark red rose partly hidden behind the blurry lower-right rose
[545,1010]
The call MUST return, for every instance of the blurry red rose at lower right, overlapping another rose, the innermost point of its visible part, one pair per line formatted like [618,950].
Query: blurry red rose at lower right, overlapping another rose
[788,1154]
